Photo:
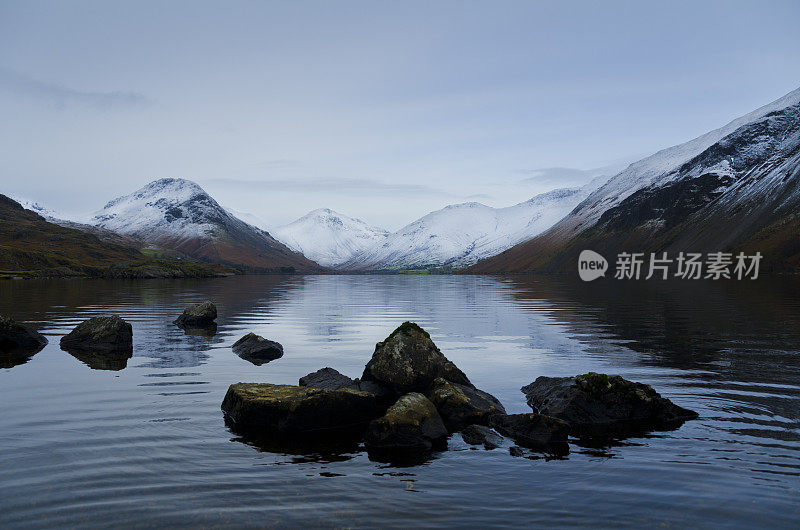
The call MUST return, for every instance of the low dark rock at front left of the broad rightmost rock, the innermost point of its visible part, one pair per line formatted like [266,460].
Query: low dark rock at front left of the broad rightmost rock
[535,431]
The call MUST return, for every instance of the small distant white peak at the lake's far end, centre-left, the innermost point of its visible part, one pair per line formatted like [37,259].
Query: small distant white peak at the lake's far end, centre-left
[328,237]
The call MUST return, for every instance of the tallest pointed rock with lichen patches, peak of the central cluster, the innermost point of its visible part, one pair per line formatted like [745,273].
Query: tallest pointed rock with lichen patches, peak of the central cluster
[409,361]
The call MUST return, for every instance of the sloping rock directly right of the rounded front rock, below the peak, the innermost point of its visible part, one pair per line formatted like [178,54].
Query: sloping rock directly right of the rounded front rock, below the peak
[462,405]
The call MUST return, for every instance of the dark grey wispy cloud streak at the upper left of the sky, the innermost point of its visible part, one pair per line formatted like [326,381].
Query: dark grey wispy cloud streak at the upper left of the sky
[60,96]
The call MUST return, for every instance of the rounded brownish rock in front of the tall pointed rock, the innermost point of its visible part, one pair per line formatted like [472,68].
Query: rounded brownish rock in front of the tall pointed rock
[411,425]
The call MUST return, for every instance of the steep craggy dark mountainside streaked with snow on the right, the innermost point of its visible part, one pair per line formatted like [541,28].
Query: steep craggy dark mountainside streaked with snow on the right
[737,187]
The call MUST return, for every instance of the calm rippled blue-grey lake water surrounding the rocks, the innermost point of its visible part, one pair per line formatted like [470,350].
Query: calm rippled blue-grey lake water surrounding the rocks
[147,446]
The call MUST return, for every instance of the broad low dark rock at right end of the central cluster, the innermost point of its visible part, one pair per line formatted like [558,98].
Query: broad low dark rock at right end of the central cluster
[599,404]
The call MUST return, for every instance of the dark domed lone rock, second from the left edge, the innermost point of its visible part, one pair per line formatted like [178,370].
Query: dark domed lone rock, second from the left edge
[100,335]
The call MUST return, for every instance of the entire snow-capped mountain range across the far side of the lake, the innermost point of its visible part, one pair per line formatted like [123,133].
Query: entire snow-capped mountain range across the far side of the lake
[734,188]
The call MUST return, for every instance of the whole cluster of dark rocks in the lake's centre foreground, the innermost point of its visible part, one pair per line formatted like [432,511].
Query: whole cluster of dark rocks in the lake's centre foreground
[410,398]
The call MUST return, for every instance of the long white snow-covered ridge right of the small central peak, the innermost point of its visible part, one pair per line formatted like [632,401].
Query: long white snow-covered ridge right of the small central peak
[461,234]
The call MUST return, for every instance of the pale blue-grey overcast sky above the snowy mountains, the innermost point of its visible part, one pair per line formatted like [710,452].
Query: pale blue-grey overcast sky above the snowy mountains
[381,110]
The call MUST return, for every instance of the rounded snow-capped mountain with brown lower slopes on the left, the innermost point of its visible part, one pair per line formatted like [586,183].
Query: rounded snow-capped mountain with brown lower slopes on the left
[177,214]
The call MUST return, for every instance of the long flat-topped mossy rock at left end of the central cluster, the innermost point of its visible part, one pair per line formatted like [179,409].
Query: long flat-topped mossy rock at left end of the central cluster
[292,410]
